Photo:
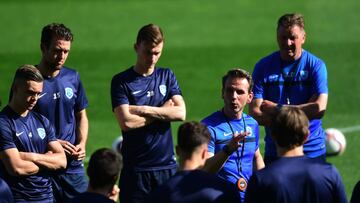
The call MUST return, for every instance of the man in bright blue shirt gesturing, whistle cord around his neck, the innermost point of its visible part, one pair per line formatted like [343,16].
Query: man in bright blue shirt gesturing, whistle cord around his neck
[234,145]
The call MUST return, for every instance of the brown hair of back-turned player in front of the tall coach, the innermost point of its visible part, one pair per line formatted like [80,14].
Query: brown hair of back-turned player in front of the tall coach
[289,127]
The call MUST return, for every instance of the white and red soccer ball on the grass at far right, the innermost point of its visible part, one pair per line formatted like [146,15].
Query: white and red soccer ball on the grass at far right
[335,142]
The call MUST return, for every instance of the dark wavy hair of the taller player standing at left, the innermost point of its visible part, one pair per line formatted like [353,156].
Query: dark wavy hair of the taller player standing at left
[57,31]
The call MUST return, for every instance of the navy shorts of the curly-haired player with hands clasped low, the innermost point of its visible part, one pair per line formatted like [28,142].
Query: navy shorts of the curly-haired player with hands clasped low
[68,185]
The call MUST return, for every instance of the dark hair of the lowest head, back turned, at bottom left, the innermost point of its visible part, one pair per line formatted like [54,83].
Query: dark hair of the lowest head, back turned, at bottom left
[104,168]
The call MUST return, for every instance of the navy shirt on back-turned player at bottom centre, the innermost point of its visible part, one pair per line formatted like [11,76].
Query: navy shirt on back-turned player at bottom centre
[193,187]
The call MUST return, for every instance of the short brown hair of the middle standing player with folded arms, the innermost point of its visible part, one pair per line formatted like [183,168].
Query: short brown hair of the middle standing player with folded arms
[150,34]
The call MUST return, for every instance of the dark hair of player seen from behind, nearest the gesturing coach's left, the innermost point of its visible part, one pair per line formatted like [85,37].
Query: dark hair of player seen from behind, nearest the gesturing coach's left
[192,135]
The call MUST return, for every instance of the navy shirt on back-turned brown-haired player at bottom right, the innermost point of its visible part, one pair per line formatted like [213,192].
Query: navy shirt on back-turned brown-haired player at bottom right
[296,180]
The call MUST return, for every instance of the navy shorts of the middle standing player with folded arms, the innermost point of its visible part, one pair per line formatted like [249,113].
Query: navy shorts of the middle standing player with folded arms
[135,186]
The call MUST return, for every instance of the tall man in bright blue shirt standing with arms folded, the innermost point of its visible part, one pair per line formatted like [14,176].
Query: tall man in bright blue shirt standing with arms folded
[291,76]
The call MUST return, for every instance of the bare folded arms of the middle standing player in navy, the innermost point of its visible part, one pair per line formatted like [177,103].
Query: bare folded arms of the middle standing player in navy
[132,117]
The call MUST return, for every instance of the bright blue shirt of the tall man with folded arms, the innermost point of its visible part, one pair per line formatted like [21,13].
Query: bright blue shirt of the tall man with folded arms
[295,83]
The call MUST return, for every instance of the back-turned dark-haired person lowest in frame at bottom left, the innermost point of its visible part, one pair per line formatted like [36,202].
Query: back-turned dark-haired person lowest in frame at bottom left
[103,171]
